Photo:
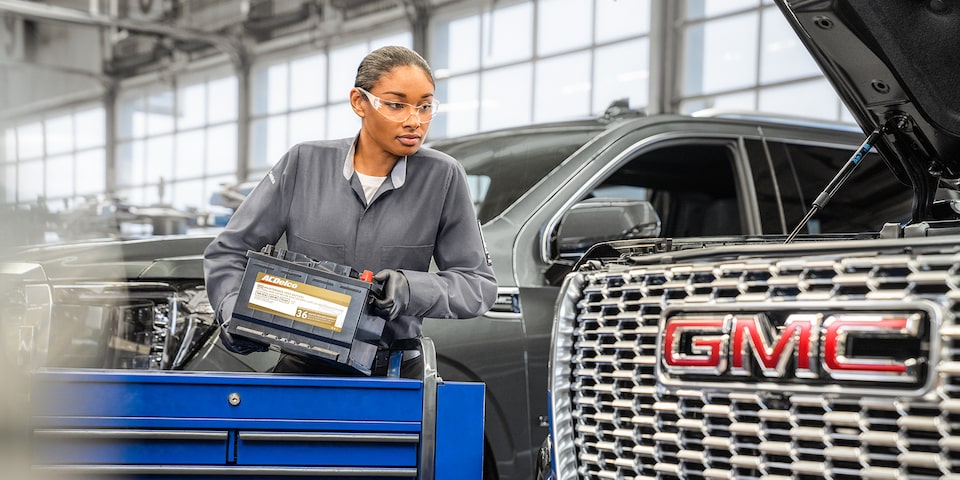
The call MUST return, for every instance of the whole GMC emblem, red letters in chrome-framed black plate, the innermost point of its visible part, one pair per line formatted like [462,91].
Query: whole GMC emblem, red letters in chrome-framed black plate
[787,345]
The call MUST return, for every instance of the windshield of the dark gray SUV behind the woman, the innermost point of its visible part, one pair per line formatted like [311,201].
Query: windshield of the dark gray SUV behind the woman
[500,169]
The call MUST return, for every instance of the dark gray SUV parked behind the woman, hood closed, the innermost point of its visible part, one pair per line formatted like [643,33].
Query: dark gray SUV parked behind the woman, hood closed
[543,193]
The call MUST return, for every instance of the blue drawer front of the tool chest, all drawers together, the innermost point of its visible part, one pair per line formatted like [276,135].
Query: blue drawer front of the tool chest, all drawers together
[93,419]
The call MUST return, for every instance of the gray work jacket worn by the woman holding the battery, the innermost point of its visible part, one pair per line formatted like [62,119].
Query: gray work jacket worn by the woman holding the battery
[422,211]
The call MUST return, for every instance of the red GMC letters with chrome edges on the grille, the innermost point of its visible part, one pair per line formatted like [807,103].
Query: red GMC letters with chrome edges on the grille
[807,345]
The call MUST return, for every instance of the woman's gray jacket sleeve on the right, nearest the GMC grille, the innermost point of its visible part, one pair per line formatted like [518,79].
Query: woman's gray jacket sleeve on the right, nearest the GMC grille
[464,285]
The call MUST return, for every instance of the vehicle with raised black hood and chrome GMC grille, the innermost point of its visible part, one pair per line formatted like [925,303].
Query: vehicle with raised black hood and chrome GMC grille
[797,356]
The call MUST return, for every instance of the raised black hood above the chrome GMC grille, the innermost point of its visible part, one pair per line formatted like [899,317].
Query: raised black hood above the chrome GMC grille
[896,65]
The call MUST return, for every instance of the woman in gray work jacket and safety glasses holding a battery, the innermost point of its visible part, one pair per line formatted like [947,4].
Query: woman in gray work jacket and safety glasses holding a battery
[376,202]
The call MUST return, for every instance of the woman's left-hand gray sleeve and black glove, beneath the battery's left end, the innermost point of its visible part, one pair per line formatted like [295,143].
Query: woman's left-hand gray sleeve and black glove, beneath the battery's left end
[260,220]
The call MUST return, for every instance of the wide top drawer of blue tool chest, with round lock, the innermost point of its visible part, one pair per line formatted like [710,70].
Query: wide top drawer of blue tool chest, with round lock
[200,398]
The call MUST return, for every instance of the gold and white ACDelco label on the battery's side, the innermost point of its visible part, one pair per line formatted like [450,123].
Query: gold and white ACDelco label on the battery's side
[299,301]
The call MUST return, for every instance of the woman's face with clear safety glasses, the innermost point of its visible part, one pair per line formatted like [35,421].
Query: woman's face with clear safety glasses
[405,84]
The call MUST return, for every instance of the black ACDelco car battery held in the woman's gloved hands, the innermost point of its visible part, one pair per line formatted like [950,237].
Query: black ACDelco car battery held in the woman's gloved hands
[317,309]
